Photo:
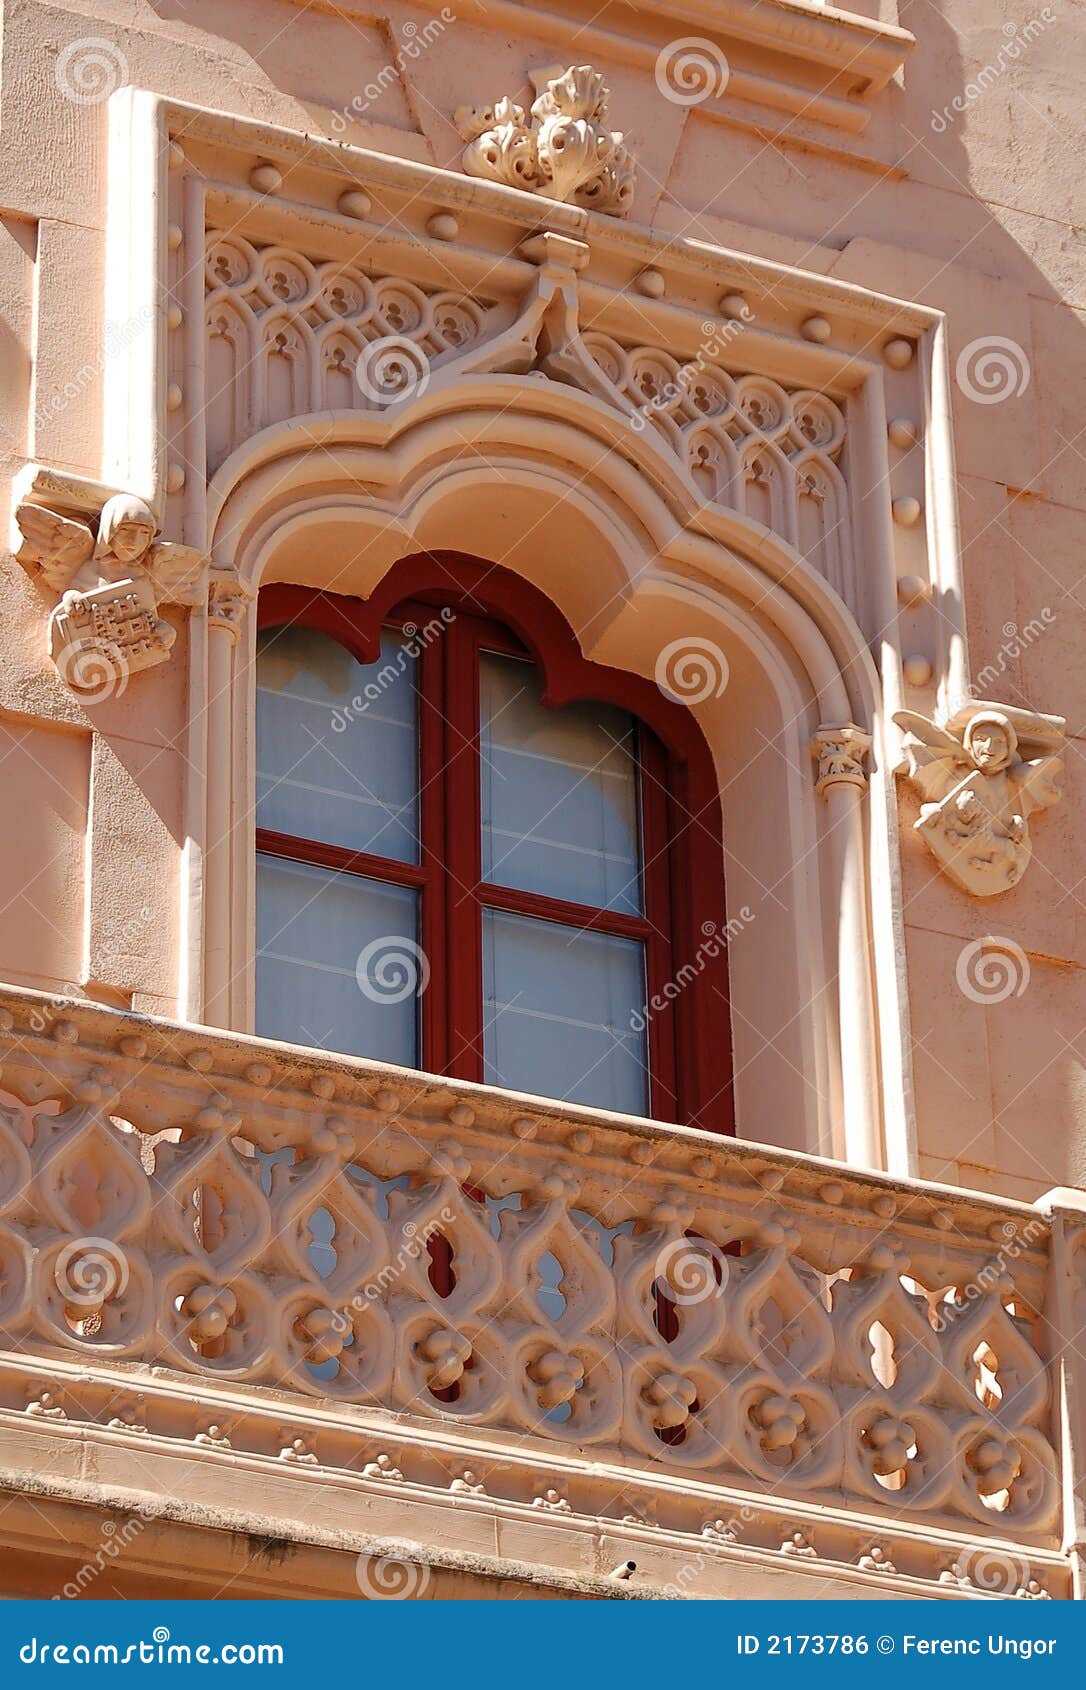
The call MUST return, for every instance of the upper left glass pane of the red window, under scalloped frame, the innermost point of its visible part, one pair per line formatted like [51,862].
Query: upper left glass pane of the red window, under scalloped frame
[337,756]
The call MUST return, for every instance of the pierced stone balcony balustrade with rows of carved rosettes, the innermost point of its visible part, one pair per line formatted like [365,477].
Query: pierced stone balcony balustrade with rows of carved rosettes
[239,1213]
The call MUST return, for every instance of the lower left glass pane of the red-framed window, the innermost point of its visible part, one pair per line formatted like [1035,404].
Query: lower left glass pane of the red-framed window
[339,962]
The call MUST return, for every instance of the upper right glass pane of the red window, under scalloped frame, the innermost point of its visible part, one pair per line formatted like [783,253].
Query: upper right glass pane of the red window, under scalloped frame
[560,793]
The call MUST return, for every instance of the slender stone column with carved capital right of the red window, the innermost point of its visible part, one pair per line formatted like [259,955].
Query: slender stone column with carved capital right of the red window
[842,755]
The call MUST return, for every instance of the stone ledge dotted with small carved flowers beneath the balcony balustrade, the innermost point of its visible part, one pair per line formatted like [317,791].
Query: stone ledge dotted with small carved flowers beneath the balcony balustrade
[771,1547]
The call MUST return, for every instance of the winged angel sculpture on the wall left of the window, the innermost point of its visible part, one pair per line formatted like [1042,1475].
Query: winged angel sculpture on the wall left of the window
[109,623]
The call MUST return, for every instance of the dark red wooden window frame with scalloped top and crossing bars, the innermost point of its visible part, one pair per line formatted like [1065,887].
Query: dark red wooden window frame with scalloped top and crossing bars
[690,1039]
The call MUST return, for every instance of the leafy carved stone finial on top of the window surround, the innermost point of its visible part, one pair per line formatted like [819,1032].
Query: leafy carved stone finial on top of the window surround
[562,150]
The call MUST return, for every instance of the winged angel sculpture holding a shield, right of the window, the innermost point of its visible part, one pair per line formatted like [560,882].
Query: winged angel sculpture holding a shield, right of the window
[979,793]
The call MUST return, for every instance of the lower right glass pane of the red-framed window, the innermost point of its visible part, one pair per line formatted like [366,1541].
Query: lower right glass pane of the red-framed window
[558,1013]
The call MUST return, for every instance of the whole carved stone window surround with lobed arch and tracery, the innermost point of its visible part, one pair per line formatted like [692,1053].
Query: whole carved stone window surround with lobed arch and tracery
[352,357]
